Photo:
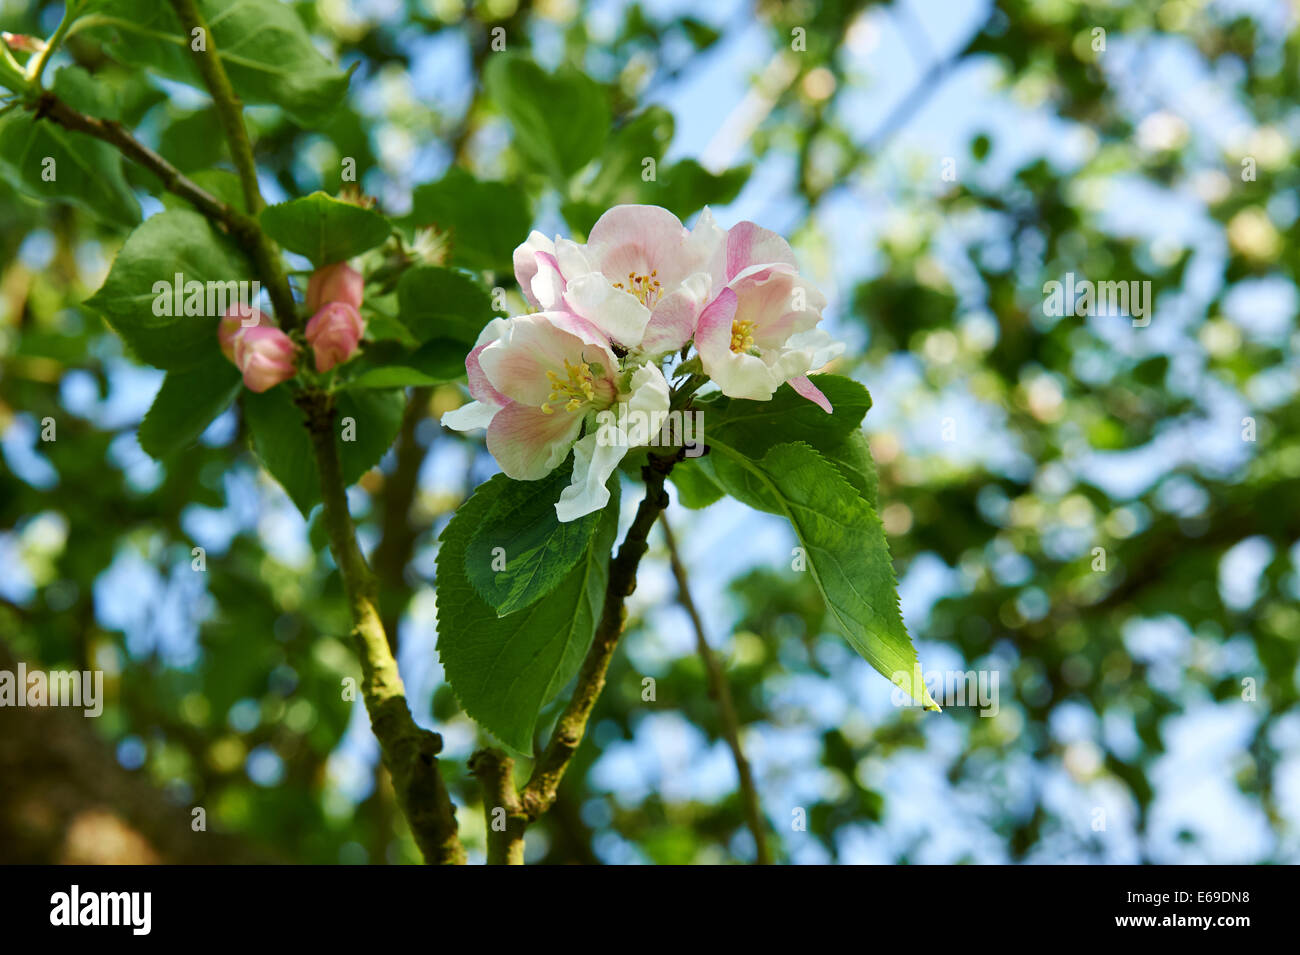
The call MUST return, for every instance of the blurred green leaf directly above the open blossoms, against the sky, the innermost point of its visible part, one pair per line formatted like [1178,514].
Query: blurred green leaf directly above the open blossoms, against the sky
[561,120]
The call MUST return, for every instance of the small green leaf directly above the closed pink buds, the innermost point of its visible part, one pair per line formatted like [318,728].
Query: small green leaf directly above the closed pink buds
[324,229]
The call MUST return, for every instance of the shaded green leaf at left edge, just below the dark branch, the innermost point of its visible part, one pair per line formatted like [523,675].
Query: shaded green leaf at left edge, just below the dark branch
[47,162]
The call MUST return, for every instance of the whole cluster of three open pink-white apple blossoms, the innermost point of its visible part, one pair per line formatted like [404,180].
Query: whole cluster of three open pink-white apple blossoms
[610,314]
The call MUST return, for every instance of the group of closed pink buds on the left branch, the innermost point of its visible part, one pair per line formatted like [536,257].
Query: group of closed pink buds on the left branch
[267,357]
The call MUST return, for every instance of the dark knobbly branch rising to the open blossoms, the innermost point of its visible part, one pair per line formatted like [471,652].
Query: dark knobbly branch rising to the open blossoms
[538,797]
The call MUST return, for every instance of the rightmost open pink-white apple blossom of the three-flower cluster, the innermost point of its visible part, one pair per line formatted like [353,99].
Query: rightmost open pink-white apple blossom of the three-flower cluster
[761,331]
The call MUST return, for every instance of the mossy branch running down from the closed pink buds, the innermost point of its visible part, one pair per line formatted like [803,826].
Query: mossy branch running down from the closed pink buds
[410,753]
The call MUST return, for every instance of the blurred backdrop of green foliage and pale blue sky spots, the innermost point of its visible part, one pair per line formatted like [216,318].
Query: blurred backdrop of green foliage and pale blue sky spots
[934,163]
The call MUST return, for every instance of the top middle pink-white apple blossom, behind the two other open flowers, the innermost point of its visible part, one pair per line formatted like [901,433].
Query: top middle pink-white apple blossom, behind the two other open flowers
[642,277]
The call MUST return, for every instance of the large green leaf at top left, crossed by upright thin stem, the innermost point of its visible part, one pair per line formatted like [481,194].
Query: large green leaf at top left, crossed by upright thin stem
[267,51]
